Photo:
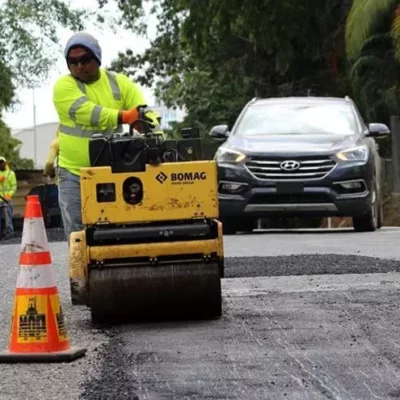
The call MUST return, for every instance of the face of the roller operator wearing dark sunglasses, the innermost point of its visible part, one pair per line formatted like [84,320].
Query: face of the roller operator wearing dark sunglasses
[82,65]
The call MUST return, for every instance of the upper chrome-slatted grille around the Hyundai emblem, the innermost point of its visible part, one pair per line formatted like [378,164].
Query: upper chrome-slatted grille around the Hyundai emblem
[310,168]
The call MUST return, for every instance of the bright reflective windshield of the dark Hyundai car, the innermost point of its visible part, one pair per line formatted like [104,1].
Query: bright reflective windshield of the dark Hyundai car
[297,119]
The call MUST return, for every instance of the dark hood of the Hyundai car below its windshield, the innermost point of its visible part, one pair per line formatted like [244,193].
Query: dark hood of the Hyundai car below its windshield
[292,143]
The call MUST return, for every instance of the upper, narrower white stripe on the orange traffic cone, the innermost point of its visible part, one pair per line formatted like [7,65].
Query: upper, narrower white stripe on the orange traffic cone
[34,236]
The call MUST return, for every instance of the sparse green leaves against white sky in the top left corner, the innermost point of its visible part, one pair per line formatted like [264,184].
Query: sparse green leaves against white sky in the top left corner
[28,37]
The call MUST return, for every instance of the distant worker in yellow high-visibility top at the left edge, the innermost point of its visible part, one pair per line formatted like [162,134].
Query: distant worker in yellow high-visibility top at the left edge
[8,187]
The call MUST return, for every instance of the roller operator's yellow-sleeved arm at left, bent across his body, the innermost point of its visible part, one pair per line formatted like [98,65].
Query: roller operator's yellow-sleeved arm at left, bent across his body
[73,104]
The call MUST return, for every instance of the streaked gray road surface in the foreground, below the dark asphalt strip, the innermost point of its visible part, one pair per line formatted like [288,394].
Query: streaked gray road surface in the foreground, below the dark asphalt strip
[295,338]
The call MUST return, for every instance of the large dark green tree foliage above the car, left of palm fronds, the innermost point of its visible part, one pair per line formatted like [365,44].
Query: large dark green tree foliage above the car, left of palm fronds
[212,56]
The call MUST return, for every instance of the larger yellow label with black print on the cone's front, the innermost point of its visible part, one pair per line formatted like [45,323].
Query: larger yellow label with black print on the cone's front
[32,319]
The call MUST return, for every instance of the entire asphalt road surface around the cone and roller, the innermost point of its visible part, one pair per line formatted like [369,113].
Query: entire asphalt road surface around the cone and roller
[306,315]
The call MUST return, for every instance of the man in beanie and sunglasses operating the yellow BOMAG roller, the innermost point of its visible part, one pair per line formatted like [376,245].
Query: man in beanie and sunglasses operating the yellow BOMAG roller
[89,100]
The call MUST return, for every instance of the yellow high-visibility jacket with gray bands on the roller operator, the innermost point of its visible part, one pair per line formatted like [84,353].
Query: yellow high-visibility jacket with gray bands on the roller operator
[84,109]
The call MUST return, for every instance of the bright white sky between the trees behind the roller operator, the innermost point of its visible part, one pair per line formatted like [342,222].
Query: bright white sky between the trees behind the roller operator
[111,43]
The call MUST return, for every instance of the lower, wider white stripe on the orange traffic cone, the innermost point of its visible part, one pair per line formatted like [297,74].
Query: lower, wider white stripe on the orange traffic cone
[36,277]
